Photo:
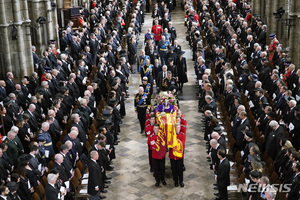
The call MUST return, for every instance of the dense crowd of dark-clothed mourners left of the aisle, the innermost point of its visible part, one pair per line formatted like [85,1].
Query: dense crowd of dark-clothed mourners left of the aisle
[72,104]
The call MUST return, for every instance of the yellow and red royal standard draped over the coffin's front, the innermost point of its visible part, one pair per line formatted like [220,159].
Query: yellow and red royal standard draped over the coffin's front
[167,135]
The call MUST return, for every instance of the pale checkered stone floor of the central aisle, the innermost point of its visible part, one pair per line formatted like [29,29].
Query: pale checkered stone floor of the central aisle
[131,178]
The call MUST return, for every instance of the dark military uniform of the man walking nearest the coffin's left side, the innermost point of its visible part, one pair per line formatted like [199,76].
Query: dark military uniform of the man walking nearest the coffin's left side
[141,103]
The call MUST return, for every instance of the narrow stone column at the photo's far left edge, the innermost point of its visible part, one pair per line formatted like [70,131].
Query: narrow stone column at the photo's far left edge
[6,47]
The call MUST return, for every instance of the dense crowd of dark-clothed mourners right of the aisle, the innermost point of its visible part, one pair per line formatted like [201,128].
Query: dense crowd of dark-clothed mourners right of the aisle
[258,94]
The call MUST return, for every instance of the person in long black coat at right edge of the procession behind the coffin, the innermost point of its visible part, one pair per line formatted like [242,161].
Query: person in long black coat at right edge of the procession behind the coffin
[182,70]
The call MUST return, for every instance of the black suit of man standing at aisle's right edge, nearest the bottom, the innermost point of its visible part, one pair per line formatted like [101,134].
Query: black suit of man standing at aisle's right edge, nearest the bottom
[223,178]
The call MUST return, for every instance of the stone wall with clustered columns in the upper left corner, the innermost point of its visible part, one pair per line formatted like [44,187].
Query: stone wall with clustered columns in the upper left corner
[19,16]
